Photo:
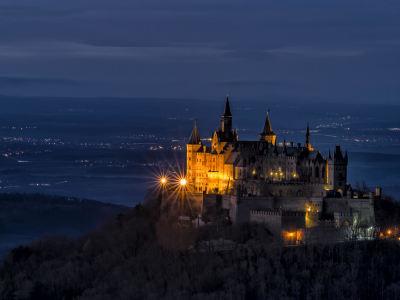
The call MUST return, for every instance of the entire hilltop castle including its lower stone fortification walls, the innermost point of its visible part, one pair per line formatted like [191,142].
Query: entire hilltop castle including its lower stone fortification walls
[299,195]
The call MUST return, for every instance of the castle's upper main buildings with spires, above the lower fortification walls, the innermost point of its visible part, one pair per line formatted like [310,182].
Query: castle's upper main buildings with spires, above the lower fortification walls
[230,164]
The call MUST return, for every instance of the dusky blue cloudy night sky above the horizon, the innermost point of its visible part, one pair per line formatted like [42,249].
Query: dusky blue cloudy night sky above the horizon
[331,51]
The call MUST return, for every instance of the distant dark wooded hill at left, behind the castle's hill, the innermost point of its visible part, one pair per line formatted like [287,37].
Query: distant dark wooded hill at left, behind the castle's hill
[26,217]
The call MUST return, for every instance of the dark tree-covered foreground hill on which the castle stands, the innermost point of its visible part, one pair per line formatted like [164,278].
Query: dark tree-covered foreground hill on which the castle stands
[137,255]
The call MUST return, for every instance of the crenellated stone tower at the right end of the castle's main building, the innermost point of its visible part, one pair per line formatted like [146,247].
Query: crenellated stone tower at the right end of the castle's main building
[337,171]
